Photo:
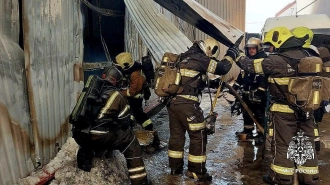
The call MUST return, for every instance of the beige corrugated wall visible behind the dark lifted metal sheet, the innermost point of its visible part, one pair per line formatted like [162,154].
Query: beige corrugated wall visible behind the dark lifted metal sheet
[232,11]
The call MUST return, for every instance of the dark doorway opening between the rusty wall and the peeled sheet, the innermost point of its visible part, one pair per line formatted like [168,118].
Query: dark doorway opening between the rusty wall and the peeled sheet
[112,30]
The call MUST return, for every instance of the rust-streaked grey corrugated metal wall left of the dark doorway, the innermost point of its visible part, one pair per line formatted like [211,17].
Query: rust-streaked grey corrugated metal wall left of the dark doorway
[38,90]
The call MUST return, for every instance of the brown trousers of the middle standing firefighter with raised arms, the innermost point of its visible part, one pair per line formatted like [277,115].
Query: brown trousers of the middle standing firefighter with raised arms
[187,117]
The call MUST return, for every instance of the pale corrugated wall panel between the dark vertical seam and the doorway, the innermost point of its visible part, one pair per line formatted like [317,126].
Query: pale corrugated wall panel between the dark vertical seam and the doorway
[52,46]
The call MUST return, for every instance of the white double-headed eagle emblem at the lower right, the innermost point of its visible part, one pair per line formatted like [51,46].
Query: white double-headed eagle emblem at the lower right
[300,149]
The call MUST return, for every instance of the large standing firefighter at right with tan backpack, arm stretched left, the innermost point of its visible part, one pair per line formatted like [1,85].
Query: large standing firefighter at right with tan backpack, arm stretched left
[296,90]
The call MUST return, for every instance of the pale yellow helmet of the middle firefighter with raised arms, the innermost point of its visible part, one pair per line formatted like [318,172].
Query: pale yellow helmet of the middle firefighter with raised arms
[210,47]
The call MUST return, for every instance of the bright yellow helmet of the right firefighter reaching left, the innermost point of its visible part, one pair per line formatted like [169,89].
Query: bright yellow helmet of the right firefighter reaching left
[277,36]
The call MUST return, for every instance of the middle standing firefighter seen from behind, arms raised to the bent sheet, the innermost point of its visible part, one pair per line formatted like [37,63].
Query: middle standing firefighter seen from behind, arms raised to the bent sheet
[184,109]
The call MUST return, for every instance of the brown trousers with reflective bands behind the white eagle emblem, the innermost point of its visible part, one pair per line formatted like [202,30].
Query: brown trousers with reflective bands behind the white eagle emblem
[293,149]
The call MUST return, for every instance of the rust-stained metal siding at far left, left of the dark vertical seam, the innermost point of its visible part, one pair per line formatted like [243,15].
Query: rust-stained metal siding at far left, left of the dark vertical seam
[15,130]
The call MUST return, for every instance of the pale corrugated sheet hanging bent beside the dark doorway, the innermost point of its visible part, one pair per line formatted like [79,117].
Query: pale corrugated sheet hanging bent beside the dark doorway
[159,34]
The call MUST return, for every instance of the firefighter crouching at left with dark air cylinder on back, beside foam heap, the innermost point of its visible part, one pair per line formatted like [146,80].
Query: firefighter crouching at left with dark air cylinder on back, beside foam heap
[101,123]
